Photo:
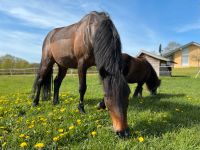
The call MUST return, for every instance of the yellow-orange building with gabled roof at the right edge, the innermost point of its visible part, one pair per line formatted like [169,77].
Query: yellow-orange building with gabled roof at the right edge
[187,55]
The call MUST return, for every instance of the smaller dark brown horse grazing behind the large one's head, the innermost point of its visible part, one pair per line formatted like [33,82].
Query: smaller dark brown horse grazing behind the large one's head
[138,70]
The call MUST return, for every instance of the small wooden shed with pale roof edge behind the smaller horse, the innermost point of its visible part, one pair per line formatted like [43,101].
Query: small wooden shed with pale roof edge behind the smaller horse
[161,65]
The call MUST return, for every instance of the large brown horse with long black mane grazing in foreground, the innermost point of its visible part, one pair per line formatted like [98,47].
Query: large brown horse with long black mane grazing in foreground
[93,40]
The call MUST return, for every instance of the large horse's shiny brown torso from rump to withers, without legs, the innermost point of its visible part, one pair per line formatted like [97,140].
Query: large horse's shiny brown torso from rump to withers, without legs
[72,43]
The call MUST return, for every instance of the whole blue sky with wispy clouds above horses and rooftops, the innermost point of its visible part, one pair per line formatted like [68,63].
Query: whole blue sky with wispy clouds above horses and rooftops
[142,24]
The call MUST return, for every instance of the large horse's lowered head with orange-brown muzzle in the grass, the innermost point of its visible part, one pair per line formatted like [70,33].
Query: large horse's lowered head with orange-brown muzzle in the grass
[116,99]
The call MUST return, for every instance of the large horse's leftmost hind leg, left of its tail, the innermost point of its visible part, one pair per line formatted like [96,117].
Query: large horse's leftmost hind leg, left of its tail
[45,67]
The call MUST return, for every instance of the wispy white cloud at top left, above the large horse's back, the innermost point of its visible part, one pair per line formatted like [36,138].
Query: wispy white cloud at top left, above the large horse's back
[39,14]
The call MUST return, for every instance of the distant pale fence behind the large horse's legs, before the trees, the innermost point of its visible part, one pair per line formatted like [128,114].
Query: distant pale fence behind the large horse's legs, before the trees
[26,71]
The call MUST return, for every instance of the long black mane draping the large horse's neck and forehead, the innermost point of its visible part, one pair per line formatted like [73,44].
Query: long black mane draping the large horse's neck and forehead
[108,58]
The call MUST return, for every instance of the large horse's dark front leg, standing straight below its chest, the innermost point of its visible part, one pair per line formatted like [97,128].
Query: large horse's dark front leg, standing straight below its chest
[82,70]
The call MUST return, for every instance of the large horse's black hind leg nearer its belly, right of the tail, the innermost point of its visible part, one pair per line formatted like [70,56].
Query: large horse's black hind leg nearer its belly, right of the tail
[57,82]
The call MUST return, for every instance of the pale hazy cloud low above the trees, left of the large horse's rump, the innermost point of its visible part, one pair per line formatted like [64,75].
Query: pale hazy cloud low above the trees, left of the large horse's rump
[21,44]
